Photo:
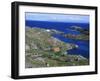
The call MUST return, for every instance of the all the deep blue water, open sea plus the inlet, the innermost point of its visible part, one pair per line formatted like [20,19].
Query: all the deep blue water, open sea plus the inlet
[66,28]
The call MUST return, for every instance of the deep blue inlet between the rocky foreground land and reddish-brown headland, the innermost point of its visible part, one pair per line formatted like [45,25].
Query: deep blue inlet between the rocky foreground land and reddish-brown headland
[83,46]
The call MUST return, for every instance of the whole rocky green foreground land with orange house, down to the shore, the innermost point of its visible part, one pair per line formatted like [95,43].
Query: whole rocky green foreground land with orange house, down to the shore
[43,50]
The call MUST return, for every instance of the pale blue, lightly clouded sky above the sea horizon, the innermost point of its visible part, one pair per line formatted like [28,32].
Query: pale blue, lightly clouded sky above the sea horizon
[57,17]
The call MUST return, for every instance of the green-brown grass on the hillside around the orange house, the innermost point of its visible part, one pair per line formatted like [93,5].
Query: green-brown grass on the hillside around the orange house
[42,41]
